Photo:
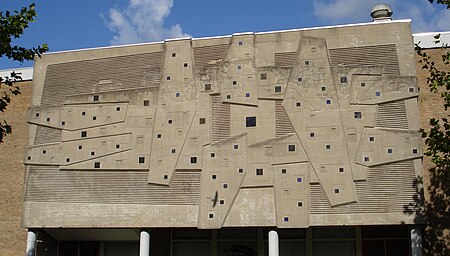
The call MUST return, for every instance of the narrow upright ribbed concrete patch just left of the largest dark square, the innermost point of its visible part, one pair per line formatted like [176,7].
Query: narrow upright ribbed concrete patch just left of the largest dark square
[220,115]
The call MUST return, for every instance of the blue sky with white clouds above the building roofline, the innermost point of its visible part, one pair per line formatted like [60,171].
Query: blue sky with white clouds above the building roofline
[78,24]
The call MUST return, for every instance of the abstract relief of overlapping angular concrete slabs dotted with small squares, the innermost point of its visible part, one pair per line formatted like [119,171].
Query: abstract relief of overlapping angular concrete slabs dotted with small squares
[218,123]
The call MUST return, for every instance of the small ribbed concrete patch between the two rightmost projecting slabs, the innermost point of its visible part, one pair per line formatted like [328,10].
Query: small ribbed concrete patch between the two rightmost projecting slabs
[392,115]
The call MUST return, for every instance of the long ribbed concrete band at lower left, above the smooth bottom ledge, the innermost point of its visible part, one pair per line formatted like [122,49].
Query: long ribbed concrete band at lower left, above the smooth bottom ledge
[46,184]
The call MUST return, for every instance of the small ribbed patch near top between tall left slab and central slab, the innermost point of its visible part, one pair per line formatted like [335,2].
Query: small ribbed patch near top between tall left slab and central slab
[209,56]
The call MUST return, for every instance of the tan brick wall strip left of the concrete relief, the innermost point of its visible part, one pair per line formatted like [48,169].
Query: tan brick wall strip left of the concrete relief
[13,237]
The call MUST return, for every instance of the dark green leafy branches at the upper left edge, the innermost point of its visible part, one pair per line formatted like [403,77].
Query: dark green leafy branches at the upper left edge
[12,26]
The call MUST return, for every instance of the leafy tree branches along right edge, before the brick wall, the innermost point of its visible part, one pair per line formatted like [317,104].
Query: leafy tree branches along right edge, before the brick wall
[434,210]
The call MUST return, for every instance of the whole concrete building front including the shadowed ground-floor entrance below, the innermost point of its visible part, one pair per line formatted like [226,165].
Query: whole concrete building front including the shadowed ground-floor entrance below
[203,146]
